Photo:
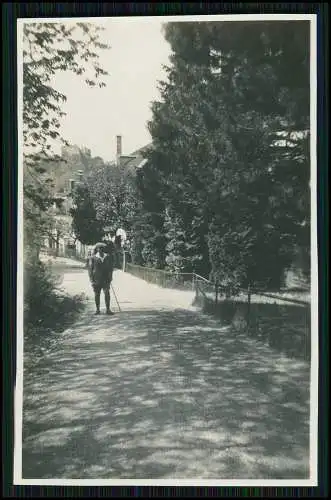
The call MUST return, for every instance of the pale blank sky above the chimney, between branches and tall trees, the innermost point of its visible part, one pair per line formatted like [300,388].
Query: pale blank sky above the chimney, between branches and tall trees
[134,63]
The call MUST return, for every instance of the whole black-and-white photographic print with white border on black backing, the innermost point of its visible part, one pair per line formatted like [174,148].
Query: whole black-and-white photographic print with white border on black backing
[167,318]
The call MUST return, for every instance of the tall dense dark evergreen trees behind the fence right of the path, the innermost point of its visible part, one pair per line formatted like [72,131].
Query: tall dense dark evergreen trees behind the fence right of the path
[231,91]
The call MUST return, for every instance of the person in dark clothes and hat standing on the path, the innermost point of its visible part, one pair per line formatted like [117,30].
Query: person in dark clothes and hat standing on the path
[101,274]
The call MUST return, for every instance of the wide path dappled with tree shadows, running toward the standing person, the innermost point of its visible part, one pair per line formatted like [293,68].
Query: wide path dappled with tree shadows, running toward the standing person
[163,393]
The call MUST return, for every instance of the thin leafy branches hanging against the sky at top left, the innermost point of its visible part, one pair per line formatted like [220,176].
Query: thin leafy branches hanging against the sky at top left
[49,48]
